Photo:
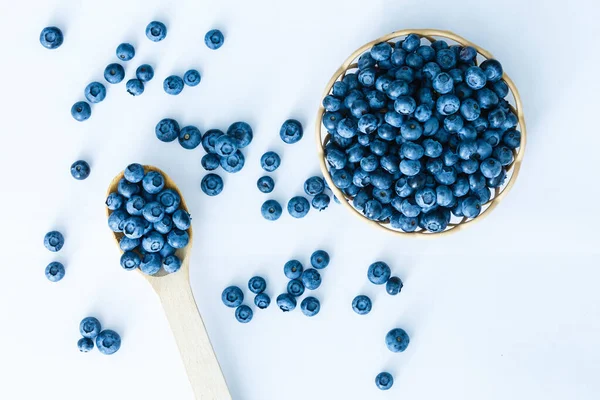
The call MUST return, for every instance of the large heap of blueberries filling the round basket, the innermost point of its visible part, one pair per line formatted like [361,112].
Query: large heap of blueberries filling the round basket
[420,132]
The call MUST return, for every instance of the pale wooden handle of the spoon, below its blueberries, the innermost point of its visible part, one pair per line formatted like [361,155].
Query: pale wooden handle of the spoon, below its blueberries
[198,356]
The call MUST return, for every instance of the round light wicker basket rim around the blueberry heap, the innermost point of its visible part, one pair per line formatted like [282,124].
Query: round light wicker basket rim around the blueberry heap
[456,224]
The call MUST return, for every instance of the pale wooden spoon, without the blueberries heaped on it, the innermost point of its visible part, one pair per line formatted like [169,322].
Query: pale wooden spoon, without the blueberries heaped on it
[176,296]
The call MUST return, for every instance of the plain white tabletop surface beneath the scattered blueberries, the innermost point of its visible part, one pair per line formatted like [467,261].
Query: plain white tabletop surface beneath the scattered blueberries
[507,309]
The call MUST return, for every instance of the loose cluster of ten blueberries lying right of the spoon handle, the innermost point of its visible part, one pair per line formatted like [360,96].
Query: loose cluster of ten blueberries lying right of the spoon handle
[300,279]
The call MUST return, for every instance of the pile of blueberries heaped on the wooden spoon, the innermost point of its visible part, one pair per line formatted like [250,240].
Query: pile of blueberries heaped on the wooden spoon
[151,221]
